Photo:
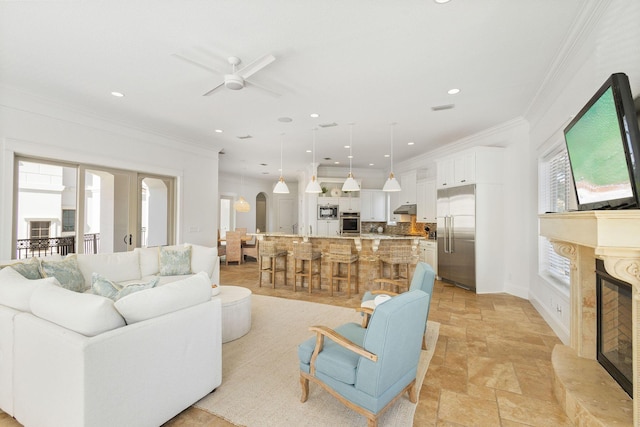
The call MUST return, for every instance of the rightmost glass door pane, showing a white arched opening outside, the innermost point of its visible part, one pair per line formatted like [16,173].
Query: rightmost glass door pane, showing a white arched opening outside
[154,215]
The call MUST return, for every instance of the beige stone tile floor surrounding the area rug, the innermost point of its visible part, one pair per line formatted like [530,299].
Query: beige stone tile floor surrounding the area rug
[491,367]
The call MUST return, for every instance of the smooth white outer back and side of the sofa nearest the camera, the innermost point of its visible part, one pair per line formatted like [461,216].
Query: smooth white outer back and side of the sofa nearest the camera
[141,374]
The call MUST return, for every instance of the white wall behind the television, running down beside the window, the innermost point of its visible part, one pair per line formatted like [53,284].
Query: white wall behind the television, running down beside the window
[609,44]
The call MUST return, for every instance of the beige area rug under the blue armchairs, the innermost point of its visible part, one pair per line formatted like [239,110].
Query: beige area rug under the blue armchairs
[260,371]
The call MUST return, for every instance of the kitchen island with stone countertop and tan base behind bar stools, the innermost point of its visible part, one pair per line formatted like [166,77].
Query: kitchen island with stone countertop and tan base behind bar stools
[367,246]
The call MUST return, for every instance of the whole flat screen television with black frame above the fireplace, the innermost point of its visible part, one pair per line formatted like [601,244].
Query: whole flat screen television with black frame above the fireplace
[603,144]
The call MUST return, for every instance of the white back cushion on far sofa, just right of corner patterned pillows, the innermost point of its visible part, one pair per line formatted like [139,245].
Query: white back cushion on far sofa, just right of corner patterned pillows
[117,266]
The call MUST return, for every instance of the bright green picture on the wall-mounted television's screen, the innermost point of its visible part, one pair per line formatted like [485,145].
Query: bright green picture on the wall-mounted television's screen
[600,170]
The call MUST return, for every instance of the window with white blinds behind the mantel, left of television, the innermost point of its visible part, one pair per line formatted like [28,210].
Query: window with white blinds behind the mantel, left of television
[556,189]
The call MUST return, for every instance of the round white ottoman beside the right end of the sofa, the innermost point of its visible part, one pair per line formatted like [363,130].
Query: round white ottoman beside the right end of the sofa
[236,311]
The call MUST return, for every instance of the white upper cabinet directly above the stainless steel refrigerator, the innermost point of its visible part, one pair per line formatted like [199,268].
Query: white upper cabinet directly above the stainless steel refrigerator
[479,164]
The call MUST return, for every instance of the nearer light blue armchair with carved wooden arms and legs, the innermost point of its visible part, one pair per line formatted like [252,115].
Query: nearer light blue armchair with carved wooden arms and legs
[367,369]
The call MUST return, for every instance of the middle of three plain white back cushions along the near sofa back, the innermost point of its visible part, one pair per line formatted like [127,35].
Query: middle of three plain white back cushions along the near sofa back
[83,313]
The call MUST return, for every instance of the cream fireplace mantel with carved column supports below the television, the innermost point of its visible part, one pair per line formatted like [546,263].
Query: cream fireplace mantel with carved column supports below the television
[614,237]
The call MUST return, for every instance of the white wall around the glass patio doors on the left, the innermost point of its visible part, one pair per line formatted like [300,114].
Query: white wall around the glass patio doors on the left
[37,127]
